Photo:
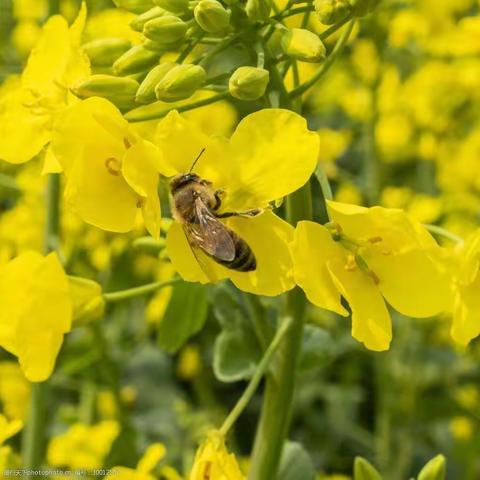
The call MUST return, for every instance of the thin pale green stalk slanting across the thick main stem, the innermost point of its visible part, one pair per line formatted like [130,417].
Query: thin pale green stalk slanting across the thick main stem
[255,380]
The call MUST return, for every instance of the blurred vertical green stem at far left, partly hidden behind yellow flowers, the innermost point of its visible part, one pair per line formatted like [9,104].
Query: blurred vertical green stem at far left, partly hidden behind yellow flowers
[33,440]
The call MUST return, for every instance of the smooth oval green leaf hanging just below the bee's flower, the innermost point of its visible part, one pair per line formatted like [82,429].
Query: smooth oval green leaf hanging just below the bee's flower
[185,315]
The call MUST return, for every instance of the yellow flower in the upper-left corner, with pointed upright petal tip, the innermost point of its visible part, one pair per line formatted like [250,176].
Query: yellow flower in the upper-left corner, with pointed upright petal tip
[27,111]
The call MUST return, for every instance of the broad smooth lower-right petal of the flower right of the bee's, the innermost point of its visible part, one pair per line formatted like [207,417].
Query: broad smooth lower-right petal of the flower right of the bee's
[412,283]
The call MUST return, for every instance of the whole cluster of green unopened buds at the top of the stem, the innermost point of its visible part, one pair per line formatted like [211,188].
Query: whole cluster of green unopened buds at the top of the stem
[180,38]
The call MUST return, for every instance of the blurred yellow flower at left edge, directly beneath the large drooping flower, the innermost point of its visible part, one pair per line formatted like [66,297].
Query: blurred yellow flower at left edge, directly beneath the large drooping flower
[14,390]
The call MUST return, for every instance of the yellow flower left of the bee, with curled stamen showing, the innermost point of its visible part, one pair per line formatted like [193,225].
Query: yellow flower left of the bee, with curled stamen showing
[111,172]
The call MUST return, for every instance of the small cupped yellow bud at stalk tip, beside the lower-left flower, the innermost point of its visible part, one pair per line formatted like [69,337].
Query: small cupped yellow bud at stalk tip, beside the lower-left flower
[88,301]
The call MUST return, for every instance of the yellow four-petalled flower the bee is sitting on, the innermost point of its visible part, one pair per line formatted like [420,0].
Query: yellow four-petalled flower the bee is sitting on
[270,155]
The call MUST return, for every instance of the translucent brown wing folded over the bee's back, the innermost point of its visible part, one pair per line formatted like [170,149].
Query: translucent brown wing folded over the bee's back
[211,235]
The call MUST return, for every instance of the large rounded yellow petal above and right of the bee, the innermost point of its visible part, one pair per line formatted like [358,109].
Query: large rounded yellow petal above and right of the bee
[272,153]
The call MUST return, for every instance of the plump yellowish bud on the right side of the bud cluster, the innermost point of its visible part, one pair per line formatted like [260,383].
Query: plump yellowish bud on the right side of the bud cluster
[303,45]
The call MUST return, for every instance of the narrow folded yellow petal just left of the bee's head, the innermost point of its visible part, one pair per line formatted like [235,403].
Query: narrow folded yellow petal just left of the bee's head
[138,169]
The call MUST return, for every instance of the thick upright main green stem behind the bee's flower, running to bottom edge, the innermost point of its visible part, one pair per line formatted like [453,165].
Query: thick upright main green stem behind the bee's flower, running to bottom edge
[277,404]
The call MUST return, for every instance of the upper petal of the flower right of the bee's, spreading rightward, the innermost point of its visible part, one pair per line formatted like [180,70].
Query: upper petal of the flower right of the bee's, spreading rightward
[397,231]
